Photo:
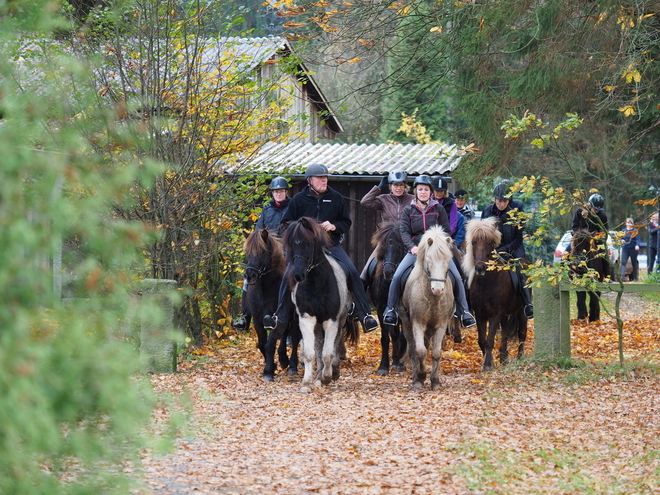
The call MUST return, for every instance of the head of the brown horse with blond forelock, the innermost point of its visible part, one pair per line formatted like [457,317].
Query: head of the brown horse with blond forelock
[481,240]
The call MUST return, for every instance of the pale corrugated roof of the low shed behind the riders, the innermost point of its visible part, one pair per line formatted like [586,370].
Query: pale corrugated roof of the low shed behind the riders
[357,159]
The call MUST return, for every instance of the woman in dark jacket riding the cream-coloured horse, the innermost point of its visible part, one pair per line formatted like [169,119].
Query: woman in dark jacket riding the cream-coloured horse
[423,212]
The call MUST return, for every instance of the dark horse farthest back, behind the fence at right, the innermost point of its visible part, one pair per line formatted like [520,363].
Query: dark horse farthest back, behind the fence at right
[586,257]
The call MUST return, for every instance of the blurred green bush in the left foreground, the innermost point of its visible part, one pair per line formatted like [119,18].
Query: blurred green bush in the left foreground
[71,411]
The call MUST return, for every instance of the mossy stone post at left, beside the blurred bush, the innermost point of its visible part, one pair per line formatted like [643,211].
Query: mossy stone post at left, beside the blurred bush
[157,347]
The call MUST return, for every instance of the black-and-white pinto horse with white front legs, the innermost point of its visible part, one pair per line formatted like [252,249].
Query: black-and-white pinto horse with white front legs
[319,291]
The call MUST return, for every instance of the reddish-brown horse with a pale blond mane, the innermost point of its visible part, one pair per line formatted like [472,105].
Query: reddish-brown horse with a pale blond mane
[491,291]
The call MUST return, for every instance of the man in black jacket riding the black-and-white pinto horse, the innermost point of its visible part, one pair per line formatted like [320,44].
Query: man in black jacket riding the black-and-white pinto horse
[327,206]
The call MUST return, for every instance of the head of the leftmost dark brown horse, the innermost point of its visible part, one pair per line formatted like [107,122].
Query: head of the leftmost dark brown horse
[263,254]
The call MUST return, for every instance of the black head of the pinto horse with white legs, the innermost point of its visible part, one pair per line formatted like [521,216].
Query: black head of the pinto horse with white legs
[305,241]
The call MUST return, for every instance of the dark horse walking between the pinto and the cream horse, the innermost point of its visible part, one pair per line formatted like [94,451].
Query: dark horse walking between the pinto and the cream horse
[390,250]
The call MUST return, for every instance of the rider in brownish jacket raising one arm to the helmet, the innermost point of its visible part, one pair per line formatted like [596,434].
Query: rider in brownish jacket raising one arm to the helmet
[390,206]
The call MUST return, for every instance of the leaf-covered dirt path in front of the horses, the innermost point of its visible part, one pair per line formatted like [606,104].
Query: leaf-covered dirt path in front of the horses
[519,429]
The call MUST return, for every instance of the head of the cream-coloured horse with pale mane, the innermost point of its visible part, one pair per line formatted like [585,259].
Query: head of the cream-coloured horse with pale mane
[433,256]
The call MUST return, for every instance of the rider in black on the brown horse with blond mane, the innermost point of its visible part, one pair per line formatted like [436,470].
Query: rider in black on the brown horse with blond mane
[512,239]
